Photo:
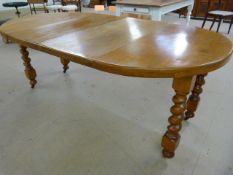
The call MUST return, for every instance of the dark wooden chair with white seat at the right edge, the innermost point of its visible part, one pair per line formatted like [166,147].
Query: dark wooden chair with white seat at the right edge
[218,14]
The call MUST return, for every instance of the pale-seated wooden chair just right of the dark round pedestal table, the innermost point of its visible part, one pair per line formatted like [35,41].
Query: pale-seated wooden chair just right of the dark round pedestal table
[37,5]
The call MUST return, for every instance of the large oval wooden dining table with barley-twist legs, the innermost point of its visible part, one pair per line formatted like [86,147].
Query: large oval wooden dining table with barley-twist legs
[128,47]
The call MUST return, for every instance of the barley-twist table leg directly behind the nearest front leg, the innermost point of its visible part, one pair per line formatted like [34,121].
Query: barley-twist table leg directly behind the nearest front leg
[194,98]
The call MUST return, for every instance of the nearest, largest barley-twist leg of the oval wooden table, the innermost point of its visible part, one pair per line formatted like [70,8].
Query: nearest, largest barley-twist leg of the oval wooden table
[171,138]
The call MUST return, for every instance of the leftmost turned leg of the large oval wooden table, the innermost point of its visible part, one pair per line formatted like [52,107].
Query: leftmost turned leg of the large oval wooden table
[29,70]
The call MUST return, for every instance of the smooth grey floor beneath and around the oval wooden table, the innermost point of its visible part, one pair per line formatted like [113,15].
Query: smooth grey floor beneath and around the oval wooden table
[88,122]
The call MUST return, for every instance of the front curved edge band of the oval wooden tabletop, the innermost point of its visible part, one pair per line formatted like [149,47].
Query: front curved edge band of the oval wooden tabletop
[125,70]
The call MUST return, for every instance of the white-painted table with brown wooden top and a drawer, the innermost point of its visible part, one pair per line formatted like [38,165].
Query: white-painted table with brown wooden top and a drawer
[153,8]
